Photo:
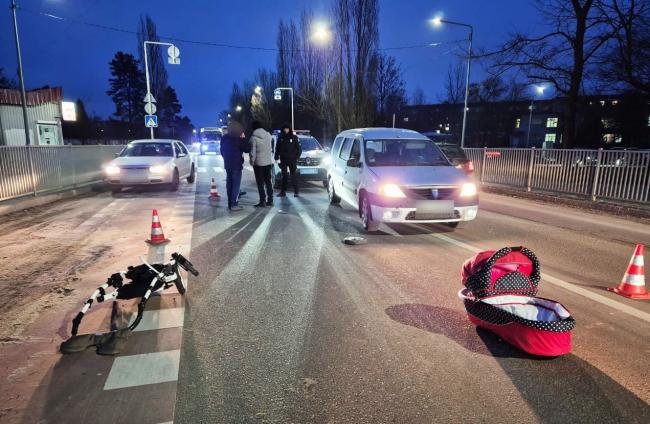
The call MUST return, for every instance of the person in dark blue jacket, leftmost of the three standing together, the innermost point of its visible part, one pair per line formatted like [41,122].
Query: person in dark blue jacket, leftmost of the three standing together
[233,147]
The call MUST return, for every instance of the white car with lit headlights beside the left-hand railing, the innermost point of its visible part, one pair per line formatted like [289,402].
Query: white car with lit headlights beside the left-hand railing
[150,162]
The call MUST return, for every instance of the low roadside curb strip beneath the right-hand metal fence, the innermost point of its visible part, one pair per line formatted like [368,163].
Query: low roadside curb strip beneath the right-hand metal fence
[638,213]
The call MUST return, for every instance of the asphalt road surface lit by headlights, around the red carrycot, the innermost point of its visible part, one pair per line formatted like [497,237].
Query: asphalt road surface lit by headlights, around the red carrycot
[286,324]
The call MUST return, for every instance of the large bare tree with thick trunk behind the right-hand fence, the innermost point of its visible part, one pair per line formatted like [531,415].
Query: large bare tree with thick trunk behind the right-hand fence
[576,32]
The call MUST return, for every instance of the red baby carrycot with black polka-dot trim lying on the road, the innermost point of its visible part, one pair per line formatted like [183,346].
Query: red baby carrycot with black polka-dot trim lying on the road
[500,296]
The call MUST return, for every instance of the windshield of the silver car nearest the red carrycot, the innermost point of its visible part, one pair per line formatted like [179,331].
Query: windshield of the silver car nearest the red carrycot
[403,153]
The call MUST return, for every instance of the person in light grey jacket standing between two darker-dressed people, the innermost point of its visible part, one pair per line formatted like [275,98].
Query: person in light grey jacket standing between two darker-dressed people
[262,161]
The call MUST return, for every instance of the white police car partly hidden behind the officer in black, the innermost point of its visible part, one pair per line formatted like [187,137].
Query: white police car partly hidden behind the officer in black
[313,163]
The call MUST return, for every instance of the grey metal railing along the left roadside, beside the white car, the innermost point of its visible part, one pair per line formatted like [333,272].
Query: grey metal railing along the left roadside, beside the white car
[34,170]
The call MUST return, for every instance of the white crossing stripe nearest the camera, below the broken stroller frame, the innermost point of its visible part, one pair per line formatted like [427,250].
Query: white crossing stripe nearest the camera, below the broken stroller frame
[146,368]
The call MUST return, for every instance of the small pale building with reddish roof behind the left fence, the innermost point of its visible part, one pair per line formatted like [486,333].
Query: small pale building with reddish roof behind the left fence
[43,115]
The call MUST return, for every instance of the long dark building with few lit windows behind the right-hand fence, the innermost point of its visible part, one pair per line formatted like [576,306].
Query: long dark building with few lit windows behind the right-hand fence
[603,121]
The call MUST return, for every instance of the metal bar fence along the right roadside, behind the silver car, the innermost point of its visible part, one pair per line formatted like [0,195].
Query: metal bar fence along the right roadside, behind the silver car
[596,174]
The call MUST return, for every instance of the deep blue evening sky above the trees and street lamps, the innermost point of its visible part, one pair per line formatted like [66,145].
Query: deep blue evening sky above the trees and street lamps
[76,56]
